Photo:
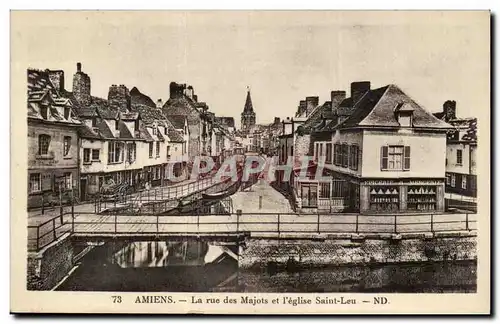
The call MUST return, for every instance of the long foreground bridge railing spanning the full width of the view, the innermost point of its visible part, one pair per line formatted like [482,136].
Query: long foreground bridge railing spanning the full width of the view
[258,224]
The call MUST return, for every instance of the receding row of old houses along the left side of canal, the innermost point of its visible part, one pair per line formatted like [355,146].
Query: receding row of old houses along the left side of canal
[79,143]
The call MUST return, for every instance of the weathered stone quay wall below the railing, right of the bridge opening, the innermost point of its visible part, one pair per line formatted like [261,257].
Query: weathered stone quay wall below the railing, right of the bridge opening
[352,249]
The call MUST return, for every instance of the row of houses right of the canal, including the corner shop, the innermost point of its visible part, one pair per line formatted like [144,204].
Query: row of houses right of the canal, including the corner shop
[376,151]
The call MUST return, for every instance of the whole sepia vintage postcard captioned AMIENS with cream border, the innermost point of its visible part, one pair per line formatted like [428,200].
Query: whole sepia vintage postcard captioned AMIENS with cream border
[242,162]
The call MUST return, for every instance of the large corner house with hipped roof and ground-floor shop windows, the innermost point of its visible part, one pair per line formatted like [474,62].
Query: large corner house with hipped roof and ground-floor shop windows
[380,152]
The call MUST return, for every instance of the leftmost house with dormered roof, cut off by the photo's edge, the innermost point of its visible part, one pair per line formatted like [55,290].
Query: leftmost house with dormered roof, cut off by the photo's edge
[53,143]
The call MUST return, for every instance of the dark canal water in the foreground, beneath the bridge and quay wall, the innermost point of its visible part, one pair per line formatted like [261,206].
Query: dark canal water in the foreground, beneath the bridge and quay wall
[193,266]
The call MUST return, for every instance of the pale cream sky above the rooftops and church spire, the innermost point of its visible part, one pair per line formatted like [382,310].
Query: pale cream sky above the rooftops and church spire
[282,56]
